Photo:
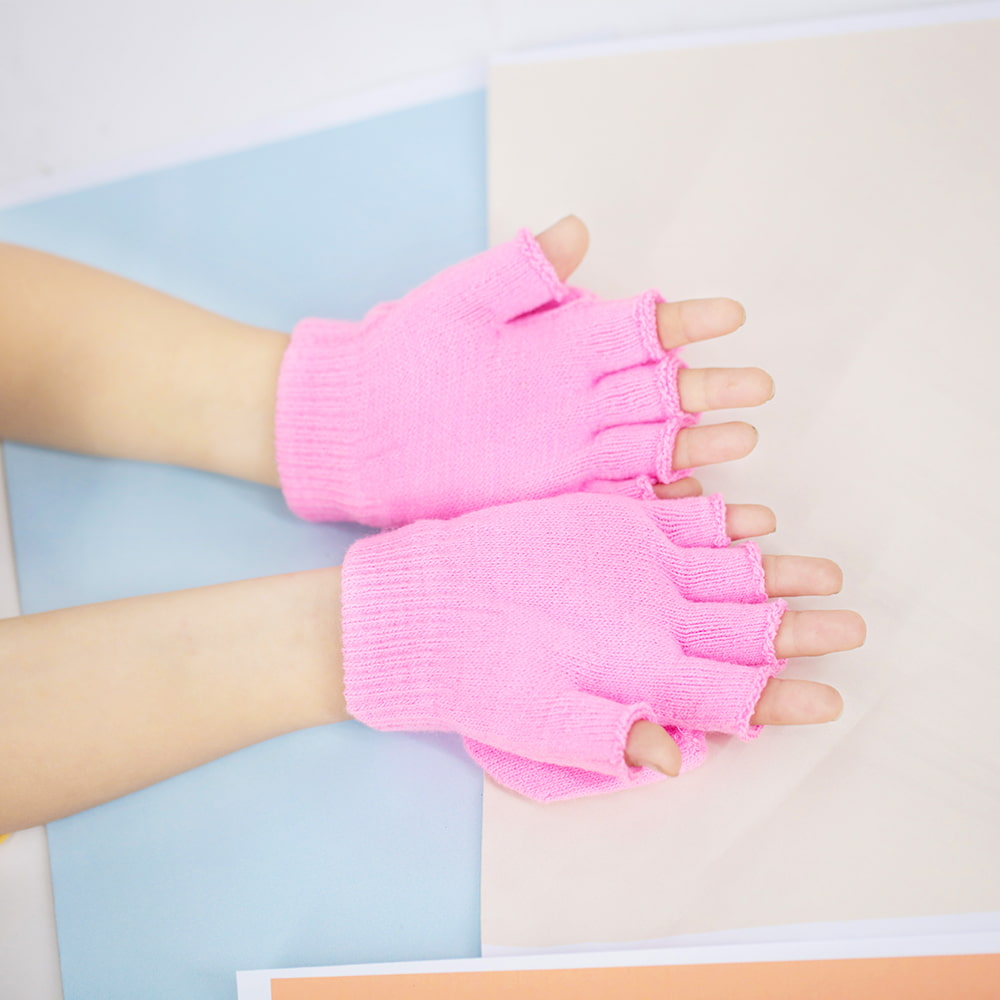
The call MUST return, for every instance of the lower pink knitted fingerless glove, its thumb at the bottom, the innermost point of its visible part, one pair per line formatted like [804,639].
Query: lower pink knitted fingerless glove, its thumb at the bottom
[542,631]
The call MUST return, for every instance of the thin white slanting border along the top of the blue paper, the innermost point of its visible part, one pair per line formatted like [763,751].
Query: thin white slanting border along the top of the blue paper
[288,125]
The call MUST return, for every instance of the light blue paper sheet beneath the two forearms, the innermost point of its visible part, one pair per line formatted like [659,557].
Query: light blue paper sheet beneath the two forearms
[333,845]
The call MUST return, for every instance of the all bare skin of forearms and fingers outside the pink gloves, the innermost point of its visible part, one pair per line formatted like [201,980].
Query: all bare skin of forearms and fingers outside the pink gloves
[102,700]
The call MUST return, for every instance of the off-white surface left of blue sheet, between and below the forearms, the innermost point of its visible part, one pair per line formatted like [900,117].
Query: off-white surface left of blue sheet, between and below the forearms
[29,957]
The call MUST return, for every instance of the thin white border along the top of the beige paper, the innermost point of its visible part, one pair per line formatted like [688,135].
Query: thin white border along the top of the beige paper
[813,28]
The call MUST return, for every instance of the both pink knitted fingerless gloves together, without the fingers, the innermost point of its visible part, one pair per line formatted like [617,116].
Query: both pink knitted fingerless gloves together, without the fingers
[557,601]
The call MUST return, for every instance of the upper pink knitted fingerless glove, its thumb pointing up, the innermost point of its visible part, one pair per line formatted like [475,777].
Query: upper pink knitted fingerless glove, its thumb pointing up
[492,382]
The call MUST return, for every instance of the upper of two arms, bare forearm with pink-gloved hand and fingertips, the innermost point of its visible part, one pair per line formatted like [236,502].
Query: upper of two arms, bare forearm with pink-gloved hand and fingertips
[427,408]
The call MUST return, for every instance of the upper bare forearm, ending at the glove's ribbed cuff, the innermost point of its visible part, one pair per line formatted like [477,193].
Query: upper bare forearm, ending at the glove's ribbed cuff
[95,363]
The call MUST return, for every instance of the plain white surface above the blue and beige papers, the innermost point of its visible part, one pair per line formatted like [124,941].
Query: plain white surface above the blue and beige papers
[93,91]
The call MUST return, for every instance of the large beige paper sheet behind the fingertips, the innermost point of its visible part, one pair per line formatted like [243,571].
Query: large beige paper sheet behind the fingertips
[847,190]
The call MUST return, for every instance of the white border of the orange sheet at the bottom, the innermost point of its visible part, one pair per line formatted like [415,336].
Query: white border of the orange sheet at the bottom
[256,985]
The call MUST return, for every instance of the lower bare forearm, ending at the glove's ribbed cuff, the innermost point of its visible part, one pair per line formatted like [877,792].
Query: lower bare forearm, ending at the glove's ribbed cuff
[101,700]
